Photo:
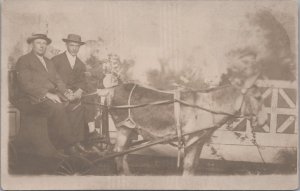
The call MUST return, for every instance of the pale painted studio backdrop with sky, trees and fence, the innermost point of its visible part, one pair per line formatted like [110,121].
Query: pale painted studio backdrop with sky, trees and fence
[188,43]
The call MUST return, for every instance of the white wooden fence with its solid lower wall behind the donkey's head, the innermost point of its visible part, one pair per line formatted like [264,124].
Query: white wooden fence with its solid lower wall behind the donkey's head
[278,136]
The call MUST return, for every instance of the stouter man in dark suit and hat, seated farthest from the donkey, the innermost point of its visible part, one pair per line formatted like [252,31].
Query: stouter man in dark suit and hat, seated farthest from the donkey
[42,94]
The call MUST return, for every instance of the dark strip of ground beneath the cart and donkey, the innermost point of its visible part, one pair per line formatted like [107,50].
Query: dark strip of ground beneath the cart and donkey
[141,166]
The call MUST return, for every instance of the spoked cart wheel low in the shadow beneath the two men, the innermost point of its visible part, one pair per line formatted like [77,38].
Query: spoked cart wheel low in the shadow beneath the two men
[74,166]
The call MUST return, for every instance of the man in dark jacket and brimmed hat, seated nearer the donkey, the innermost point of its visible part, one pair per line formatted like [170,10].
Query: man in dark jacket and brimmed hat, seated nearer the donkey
[72,71]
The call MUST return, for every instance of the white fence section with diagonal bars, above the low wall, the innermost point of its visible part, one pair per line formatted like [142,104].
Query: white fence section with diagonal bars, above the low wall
[281,105]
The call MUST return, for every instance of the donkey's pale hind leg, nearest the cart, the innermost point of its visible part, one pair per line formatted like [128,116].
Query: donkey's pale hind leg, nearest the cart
[122,141]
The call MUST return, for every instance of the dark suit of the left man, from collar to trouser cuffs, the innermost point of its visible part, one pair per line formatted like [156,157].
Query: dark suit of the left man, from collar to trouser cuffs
[41,119]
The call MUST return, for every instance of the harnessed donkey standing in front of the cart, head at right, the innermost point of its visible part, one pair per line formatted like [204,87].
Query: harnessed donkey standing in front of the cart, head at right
[158,121]
